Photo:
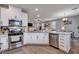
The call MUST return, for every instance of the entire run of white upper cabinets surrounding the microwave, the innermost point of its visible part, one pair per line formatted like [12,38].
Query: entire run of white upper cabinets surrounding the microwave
[12,13]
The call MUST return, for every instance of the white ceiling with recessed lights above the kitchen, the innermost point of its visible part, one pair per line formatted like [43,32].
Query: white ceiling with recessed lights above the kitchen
[50,11]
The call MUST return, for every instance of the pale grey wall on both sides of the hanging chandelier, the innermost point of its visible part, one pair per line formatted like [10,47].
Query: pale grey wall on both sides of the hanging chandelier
[71,27]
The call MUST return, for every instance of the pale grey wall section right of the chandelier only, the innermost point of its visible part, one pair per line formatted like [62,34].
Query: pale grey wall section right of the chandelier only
[74,25]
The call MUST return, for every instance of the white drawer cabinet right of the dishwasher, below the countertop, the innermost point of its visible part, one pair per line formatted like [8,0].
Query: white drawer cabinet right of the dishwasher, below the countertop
[65,42]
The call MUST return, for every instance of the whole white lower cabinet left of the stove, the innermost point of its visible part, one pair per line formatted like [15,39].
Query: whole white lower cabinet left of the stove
[4,42]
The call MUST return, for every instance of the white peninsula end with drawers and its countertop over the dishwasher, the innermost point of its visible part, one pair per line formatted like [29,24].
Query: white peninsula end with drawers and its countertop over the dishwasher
[64,40]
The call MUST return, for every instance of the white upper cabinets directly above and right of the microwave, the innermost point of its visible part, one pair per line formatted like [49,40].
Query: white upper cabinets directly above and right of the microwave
[16,13]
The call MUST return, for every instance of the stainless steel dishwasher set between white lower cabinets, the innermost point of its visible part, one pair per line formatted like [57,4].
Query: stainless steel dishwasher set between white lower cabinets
[54,39]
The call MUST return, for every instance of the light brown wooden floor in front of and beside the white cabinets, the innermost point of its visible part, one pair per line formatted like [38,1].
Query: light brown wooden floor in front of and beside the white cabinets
[44,49]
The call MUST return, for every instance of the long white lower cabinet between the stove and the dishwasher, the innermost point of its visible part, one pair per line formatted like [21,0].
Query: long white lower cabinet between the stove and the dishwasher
[36,38]
